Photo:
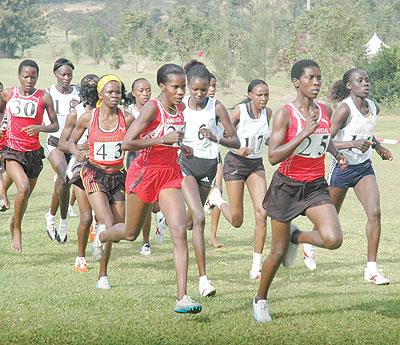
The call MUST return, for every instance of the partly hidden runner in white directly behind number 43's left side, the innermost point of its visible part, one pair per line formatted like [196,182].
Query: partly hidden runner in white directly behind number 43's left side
[88,96]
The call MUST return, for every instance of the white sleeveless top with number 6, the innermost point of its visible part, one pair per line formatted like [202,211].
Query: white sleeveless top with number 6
[194,121]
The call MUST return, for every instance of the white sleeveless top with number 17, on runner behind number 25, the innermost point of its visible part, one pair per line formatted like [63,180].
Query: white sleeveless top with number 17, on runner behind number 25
[253,133]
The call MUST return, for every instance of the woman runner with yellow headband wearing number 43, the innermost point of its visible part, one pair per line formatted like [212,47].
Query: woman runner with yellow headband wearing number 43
[103,174]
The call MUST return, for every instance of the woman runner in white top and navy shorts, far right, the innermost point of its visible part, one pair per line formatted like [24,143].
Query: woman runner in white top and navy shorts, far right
[353,125]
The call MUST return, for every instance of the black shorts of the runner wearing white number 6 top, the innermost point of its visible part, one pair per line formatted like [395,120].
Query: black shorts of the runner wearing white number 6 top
[202,169]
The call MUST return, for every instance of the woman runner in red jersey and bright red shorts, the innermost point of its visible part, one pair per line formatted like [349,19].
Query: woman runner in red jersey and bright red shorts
[156,175]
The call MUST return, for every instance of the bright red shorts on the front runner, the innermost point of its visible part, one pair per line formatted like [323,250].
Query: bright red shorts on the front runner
[148,181]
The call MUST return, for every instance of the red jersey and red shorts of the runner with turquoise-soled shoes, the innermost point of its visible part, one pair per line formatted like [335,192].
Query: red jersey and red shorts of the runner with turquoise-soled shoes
[156,168]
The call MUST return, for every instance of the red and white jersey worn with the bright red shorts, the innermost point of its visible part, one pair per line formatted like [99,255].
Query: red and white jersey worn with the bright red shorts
[164,123]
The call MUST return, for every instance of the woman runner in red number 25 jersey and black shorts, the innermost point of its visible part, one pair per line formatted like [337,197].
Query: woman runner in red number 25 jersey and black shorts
[299,138]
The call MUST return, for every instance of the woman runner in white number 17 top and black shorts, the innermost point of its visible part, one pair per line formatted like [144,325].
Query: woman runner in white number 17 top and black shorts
[245,166]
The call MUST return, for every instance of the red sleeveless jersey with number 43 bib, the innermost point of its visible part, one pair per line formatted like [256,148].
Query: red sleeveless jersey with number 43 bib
[105,146]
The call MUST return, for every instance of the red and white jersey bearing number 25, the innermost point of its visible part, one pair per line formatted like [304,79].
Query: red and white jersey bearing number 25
[307,163]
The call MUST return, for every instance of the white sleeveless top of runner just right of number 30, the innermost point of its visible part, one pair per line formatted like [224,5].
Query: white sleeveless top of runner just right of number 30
[63,104]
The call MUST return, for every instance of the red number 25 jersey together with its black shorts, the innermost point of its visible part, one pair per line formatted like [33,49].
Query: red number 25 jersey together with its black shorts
[299,182]
